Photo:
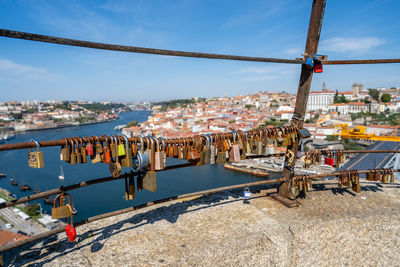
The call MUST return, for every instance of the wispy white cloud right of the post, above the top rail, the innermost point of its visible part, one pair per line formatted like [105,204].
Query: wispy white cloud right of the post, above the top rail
[350,44]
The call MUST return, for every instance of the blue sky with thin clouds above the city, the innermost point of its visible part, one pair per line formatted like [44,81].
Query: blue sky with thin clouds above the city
[29,70]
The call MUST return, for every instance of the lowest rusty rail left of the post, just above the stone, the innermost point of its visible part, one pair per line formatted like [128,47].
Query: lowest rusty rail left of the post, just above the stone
[122,211]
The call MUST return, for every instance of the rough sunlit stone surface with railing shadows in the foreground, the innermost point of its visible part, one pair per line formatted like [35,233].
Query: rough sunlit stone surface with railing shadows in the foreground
[331,227]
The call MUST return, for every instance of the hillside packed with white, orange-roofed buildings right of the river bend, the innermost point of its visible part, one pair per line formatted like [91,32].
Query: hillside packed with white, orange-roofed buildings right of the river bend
[326,108]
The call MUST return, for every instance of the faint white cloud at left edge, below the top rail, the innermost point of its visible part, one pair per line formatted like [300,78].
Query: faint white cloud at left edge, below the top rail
[10,69]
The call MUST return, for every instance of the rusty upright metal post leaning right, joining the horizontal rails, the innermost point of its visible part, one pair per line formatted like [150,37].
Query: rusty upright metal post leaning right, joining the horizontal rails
[314,30]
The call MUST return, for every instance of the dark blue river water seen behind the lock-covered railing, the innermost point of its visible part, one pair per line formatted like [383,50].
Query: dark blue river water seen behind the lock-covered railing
[109,196]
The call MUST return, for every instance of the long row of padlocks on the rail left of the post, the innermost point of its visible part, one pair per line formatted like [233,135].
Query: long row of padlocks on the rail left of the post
[138,152]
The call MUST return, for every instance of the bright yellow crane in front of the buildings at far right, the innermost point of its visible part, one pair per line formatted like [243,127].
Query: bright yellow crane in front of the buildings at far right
[359,132]
